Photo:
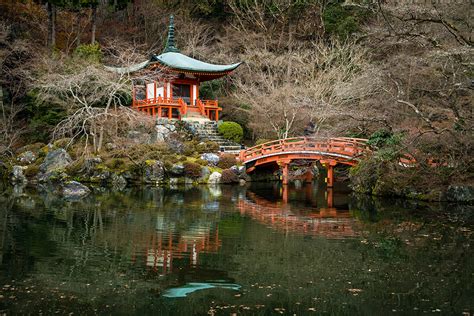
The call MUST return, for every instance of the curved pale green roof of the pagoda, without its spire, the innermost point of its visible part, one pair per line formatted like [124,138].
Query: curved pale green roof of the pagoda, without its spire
[177,61]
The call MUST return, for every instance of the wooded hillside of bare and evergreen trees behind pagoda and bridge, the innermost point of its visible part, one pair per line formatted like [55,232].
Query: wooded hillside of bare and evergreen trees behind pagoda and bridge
[397,72]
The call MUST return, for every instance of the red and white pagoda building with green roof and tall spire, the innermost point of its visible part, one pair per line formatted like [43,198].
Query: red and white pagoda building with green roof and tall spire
[176,93]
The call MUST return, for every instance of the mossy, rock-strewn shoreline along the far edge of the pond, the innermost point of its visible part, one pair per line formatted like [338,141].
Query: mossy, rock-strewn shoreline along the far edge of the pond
[53,168]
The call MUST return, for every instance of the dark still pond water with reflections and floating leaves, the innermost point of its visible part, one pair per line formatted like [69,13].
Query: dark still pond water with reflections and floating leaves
[230,250]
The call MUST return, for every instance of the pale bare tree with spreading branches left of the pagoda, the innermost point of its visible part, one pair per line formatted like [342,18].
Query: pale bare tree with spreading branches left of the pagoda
[95,99]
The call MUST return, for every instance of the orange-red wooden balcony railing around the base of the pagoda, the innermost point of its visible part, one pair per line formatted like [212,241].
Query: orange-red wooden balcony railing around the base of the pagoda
[177,108]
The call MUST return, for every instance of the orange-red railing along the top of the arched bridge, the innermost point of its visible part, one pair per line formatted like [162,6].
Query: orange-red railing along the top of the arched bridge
[353,147]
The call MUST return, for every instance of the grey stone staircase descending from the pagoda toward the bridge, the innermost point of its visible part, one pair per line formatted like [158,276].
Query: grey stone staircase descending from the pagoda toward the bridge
[207,130]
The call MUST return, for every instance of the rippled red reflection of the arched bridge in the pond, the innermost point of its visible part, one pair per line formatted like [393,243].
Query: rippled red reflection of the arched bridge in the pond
[327,222]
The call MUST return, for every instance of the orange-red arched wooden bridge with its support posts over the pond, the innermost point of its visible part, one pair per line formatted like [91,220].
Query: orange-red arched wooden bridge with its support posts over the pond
[328,151]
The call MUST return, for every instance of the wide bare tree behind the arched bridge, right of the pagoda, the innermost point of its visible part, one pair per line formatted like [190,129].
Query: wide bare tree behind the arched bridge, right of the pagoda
[322,84]
